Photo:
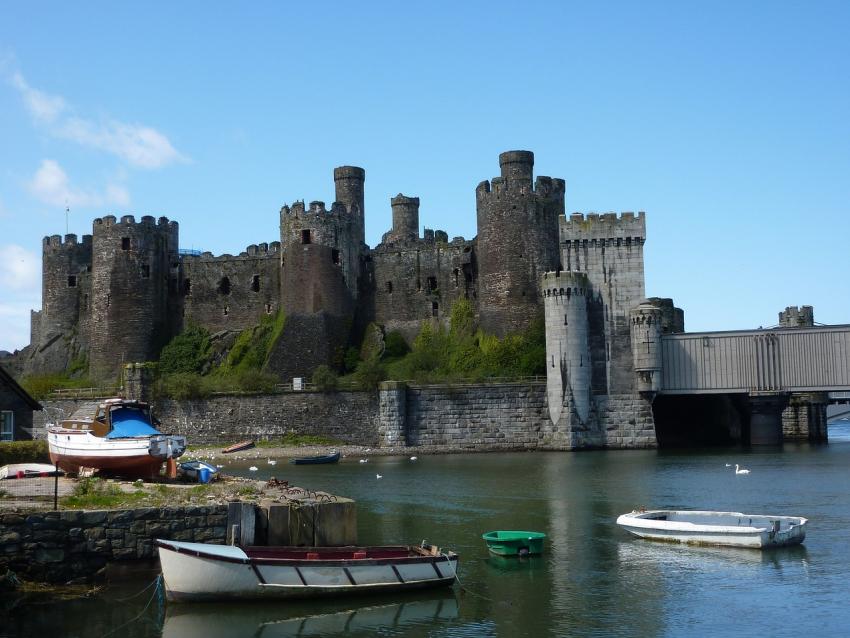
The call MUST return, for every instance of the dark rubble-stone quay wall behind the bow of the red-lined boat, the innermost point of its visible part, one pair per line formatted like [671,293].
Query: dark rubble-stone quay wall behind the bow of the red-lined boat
[73,545]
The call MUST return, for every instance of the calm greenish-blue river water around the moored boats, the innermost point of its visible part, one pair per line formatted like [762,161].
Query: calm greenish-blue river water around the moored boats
[592,580]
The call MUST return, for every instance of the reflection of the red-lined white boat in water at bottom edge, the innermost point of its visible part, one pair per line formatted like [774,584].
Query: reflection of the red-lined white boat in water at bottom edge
[262,620]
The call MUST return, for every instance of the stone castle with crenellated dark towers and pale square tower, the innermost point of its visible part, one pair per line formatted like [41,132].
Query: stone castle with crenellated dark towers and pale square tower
[124,291]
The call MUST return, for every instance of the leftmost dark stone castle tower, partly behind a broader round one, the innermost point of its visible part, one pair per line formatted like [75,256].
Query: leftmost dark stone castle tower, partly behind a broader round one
[65,267]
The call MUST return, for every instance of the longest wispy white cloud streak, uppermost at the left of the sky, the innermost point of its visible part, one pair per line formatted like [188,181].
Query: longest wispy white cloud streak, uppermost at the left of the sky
[138,145]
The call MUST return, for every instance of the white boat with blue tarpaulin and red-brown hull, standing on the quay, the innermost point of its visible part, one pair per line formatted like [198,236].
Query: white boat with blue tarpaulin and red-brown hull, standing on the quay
[119,439]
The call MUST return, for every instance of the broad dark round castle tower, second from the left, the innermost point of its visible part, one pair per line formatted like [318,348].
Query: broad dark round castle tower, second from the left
[134,271]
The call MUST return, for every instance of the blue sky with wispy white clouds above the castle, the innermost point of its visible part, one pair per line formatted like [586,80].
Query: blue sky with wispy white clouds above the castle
[727,122]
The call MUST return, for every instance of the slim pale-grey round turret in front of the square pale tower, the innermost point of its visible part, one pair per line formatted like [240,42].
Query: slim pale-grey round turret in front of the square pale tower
[568,363]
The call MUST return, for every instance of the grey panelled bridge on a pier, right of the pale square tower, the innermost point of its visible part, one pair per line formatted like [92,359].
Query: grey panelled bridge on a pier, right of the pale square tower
[767,365]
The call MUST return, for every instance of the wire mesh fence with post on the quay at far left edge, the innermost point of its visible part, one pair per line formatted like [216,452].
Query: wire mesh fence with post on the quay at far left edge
[25,486]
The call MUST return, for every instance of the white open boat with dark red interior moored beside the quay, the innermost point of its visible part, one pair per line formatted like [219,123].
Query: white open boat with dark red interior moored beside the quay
[199,571]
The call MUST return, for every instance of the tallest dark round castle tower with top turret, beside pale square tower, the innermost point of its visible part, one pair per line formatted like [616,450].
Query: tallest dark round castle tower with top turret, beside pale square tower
[517,241]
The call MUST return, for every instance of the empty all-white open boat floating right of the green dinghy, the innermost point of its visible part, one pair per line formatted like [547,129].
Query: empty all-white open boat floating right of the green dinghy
[731,529]
